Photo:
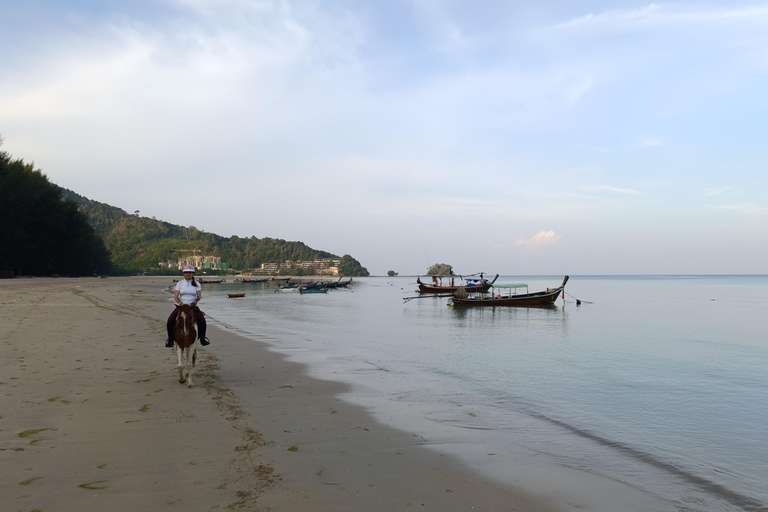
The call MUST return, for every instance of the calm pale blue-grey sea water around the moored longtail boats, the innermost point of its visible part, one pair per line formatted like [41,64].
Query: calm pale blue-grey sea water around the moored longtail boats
[661,383]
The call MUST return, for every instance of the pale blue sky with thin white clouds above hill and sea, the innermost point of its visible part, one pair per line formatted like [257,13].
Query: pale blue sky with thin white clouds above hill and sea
[529,137]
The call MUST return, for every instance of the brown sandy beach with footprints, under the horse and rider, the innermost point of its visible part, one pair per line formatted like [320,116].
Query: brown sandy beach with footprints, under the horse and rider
[92,417]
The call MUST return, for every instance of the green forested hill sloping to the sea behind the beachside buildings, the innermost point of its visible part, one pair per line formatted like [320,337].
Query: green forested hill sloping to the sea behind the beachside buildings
[138,243]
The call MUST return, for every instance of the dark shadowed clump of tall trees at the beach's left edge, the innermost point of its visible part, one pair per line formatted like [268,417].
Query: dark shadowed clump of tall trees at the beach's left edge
[41,234]
